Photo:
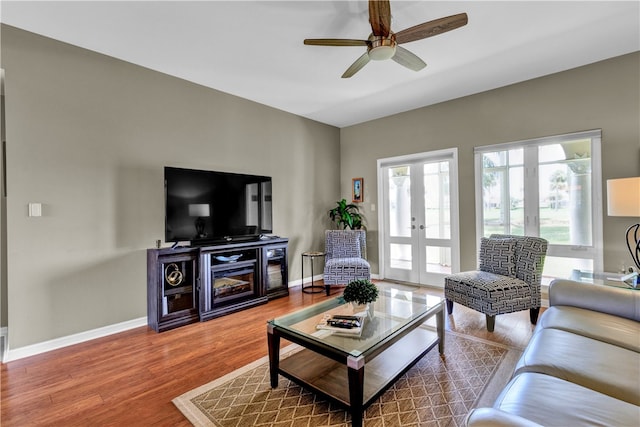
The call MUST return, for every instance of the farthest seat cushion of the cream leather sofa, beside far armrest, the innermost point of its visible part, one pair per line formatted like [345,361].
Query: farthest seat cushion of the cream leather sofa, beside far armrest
[593,324]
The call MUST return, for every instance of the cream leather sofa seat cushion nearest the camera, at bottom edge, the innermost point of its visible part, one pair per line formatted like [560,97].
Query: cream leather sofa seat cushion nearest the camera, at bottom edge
[551,401]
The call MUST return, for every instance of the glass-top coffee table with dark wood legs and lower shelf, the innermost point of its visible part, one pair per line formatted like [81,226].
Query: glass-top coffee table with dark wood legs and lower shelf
[354,370]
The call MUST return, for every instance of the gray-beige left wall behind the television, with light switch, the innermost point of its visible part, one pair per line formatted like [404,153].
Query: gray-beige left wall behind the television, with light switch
[88,137]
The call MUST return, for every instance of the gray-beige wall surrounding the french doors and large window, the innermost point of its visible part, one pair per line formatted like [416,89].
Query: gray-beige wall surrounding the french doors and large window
[603,95]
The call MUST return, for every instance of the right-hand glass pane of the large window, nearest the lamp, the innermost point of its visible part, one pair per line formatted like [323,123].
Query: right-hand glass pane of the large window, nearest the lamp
[565,193]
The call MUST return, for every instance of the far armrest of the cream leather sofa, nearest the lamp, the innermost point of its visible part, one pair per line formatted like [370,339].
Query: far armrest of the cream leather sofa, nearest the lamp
[605,299]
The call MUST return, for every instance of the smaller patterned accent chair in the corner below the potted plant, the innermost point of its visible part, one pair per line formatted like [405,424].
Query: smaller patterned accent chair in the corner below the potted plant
[345,258]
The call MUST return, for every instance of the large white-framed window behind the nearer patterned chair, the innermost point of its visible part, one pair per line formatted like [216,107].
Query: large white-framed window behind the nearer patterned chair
[548,187]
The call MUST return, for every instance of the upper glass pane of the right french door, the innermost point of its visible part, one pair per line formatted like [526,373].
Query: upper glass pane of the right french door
[436,200]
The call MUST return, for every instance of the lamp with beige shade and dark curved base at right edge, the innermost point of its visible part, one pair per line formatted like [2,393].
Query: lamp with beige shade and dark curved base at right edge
[623,199]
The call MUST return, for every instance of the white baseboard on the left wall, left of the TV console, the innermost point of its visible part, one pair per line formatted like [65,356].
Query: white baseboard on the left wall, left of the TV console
[33,349]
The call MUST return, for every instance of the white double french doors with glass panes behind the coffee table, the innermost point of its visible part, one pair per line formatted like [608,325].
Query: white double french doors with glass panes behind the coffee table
[419,217]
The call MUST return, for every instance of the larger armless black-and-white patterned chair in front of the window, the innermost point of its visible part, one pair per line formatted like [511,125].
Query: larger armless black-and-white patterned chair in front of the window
[507,280]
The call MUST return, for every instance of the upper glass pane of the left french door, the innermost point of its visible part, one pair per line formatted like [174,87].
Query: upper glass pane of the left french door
[400,201]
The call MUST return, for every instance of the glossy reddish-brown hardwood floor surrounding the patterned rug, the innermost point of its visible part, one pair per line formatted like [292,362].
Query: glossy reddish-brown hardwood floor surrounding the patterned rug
[130,378]
